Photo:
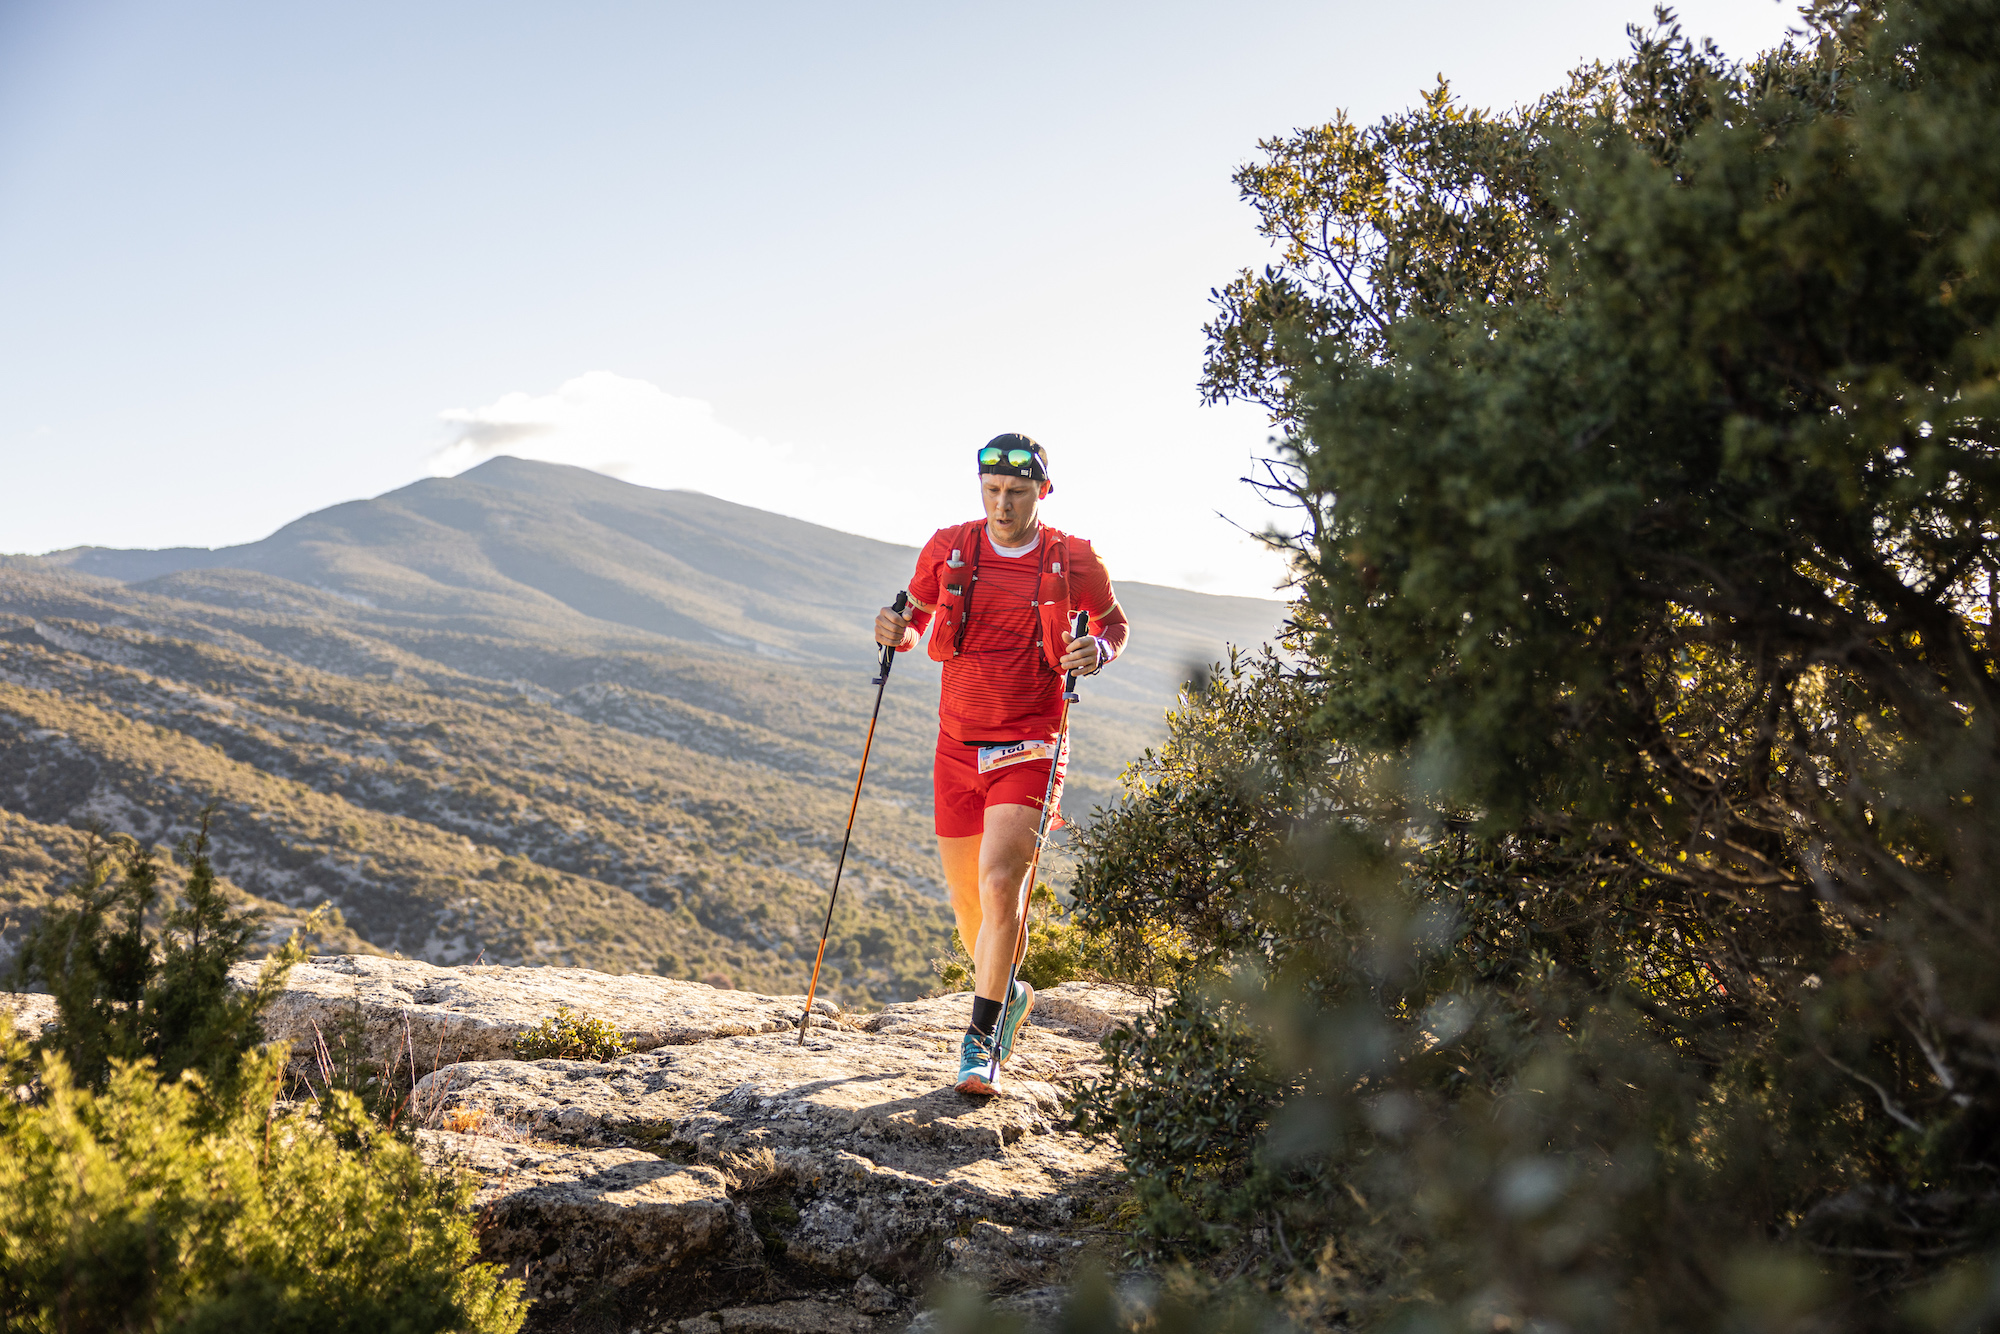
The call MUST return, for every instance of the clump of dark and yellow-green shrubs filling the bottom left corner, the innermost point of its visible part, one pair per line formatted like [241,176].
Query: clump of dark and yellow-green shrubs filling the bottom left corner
[149,1173]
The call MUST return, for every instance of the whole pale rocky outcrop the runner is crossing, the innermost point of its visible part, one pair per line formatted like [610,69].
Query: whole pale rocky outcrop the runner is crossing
[727,1175]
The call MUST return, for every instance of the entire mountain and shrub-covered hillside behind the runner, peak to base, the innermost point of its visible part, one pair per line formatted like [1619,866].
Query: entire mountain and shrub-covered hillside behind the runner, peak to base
[523,767]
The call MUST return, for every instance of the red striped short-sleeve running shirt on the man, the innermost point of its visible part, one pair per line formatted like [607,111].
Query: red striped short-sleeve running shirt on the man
[1001,689]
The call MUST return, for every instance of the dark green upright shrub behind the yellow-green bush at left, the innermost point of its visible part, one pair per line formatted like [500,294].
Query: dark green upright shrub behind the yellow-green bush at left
[131,993]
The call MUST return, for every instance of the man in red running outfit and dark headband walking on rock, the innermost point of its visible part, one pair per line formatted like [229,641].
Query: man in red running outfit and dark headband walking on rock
[1001,599]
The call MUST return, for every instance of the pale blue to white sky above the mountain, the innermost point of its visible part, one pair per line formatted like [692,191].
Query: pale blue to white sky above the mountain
[261,259]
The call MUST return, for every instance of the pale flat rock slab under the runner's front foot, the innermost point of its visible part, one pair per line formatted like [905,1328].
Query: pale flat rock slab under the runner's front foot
[881,1155]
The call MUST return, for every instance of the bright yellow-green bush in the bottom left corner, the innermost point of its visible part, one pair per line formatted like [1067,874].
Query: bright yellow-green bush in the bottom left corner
[183,1205]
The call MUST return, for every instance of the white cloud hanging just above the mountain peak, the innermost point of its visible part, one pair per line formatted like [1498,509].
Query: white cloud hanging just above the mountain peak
[631,431]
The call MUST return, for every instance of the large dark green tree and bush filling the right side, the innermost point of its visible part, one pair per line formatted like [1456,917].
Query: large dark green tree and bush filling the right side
[1605,887]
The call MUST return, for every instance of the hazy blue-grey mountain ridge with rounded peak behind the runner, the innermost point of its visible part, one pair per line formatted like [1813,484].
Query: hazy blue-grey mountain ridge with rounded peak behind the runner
[709,549]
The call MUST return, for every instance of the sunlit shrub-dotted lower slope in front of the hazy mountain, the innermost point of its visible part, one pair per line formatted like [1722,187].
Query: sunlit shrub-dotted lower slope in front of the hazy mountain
[455,819]
